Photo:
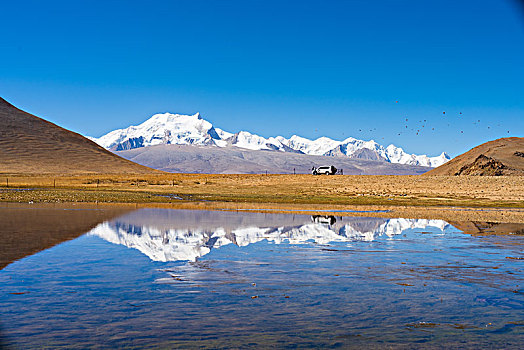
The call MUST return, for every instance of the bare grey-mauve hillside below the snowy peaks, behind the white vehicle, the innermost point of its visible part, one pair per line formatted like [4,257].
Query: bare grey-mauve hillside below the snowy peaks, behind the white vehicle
[234,160]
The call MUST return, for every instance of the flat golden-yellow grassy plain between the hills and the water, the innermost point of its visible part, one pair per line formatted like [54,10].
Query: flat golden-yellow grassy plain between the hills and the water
[421,195]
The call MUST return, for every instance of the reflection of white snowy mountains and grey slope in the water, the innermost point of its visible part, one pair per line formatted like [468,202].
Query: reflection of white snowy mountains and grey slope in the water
[186,235]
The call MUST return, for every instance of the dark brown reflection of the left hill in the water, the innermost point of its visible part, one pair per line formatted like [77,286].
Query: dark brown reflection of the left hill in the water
[27,229]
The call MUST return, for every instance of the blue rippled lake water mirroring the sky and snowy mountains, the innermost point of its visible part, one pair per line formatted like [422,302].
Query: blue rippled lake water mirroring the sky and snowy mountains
[159,278]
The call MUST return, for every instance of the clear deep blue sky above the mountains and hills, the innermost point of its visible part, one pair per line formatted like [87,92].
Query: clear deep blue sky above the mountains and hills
[312,68]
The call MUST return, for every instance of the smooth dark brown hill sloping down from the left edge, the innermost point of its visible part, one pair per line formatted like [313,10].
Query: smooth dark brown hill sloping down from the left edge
[29,145]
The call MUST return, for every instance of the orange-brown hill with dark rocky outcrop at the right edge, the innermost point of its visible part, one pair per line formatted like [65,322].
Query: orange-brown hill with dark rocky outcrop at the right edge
[494,158]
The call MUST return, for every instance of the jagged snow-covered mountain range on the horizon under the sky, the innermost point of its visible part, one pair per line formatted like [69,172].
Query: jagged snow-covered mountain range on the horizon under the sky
[167,128]
